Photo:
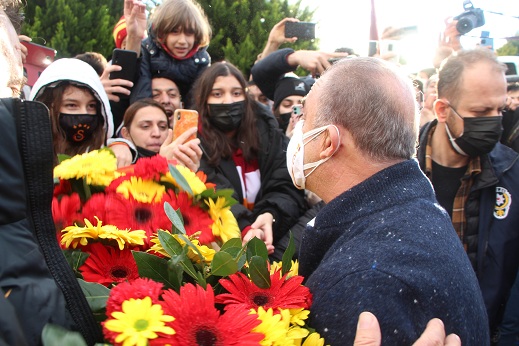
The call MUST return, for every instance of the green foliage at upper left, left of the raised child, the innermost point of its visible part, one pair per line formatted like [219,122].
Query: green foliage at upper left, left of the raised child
[73,26]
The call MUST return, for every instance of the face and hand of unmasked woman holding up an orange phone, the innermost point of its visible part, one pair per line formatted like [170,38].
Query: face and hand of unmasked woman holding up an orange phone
[145,124]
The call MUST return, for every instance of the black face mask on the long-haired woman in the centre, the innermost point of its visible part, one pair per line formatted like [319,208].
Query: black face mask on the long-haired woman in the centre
[226,116]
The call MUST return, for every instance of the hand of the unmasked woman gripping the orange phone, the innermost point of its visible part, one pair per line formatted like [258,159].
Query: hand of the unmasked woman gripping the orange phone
[187,154]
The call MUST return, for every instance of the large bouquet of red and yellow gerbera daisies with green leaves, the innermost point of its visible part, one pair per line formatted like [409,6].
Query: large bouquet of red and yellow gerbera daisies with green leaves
[160,258]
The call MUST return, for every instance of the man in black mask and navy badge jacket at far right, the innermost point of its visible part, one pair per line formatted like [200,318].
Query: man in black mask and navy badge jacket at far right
[474,176]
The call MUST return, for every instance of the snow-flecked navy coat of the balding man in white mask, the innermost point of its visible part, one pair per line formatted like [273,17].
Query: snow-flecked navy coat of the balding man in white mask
[387,247]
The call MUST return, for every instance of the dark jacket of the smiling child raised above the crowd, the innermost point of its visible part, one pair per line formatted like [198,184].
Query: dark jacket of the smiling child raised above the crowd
[155,62]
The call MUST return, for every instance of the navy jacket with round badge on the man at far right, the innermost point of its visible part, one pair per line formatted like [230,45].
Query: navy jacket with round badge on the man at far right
[496,260]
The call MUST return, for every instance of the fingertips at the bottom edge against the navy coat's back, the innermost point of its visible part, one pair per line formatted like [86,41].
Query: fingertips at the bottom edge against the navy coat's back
[368,333]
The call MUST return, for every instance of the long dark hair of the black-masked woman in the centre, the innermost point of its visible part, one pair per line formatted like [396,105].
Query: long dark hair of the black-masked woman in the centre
[216,143]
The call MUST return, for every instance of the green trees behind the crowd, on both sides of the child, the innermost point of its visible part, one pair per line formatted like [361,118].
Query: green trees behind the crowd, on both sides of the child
[240,27]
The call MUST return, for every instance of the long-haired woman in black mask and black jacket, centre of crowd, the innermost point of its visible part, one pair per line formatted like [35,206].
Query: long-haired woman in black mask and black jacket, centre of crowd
[245,151]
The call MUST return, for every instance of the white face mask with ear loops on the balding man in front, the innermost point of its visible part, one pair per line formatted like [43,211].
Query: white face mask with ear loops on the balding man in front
[295,153]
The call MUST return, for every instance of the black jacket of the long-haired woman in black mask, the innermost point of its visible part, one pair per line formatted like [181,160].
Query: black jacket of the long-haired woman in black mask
[277,193]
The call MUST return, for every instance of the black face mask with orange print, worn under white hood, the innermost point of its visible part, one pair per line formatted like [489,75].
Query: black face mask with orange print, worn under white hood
[79,127]
